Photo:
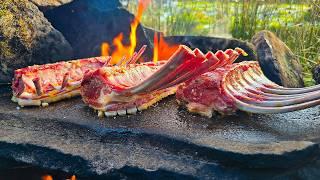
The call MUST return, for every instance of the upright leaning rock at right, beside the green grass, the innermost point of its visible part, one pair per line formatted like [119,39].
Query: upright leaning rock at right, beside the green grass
[277,61]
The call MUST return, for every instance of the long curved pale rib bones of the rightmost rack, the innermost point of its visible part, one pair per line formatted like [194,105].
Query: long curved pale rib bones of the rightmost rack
[253,92]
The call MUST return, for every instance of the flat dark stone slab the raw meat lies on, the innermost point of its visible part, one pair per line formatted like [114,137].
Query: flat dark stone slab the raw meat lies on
[164,141]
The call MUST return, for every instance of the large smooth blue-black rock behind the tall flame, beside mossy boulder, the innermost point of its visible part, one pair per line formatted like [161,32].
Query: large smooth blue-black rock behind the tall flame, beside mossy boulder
[86,24]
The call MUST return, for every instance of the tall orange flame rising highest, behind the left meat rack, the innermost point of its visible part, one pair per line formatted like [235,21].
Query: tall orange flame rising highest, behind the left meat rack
[122,50]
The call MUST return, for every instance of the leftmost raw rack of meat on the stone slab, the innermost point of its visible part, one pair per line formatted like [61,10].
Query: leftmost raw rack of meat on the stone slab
[41,84]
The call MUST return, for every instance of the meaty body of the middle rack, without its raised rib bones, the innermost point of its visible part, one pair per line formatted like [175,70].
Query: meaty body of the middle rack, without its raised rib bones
[102,89]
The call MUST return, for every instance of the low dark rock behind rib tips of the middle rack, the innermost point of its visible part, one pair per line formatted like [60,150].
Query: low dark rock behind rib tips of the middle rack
[213,44]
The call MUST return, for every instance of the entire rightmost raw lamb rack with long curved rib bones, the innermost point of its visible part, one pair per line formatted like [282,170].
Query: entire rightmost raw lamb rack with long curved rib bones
[244,87]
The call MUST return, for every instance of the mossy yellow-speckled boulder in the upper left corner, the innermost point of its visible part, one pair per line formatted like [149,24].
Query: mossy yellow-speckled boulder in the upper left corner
[27,38]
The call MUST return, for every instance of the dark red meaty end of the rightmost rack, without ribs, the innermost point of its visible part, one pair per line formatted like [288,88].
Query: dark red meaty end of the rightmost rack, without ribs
[204,95]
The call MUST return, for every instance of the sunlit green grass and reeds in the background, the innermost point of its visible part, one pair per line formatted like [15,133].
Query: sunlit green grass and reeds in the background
[296,22]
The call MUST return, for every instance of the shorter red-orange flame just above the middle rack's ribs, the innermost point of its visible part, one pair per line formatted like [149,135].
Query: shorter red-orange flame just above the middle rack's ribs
[162,50]
